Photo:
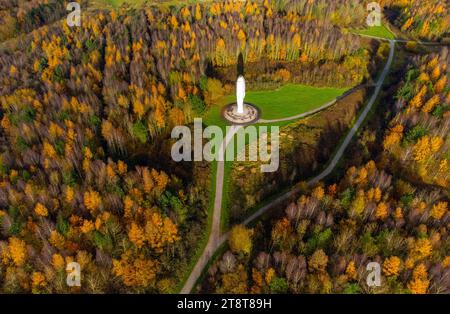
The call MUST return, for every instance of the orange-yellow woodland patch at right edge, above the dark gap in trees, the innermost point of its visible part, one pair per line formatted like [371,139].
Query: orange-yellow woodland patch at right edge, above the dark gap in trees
[418,142]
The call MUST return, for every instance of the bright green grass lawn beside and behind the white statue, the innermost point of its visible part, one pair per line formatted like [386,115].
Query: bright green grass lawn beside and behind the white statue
[289,100]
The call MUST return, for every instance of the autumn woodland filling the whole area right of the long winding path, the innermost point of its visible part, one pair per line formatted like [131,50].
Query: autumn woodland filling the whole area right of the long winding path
[393,211]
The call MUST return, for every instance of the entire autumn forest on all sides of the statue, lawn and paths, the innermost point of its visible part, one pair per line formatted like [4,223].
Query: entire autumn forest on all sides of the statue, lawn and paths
[86,174]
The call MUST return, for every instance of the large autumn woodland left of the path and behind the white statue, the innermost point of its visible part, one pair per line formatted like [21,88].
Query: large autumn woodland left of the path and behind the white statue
[85,166]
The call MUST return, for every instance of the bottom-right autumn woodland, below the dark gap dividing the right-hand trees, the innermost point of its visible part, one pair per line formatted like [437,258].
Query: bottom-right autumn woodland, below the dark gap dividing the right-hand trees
[326,237]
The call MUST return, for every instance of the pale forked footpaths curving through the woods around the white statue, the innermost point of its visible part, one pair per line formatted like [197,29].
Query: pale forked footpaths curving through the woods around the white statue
[215,240]
